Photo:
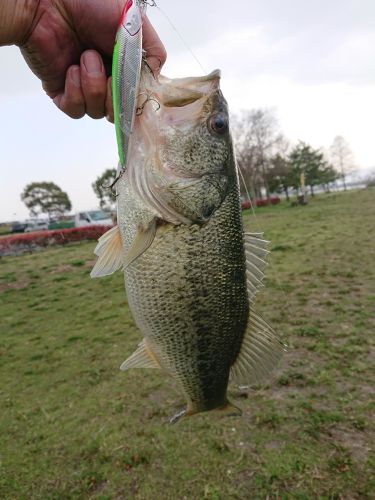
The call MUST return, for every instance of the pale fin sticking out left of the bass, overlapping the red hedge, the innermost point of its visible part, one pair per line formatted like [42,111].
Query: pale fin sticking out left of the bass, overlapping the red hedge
[110,253]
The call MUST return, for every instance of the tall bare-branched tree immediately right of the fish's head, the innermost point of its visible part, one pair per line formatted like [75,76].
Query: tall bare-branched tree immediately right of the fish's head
[257,140]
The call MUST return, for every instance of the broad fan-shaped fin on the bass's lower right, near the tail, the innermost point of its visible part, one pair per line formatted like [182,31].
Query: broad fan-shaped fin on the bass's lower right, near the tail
[260,352]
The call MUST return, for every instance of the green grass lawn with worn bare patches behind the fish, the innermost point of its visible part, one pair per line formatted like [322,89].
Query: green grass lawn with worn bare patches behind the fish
[73,426]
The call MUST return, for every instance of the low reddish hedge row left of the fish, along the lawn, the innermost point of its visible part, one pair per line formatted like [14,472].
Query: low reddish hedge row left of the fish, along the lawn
[19,243]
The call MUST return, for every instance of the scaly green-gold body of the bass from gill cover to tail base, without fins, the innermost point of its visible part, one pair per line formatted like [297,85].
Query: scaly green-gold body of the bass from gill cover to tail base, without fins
[188,296]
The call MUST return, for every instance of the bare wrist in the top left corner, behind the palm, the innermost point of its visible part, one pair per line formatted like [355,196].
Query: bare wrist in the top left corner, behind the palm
[16,20]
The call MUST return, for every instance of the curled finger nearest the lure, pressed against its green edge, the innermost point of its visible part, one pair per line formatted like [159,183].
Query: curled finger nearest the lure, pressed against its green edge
[94,83]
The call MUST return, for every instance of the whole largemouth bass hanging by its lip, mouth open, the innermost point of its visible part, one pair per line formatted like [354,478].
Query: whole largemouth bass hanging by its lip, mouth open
[191,273]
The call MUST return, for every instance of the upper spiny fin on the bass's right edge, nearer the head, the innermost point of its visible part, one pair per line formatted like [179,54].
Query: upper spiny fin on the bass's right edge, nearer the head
[256,255]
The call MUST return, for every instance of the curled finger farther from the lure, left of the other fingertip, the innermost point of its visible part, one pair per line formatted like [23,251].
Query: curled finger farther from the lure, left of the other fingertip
[72,101]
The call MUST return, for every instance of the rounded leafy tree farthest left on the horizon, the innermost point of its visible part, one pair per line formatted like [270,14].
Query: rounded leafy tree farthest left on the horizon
[45,198]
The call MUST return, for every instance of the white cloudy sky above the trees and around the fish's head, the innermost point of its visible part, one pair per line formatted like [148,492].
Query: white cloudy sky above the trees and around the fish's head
[313,61]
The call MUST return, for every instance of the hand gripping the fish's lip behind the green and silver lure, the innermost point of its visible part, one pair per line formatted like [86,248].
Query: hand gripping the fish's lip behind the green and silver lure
[70,49]
